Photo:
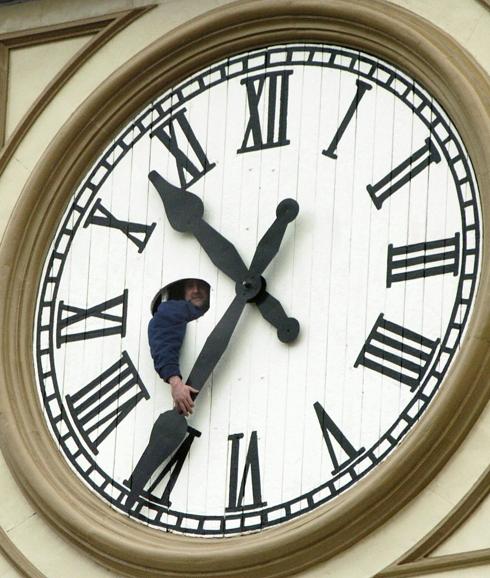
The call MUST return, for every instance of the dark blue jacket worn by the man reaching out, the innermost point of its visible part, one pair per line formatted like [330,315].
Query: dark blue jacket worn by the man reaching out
[166,332]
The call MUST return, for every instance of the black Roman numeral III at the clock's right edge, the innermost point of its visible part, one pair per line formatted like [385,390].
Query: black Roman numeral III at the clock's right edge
[423,260]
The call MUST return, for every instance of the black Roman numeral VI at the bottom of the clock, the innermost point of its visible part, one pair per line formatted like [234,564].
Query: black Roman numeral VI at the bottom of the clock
[235,499]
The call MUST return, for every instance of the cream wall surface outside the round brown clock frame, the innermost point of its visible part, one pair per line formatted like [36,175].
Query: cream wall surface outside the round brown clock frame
[27,540]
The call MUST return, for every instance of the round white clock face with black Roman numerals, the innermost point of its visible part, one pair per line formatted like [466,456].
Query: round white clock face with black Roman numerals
[379,268]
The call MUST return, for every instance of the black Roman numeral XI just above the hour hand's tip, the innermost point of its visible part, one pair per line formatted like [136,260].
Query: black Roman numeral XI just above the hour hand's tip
[189,170]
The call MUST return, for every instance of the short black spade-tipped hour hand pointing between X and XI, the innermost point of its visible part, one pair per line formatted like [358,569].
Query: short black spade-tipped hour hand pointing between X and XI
[184,212]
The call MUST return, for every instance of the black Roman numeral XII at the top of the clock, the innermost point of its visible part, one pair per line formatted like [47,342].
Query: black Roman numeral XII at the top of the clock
[267,96]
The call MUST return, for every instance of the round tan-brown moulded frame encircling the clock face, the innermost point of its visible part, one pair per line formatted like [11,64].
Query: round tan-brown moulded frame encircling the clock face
[391,33]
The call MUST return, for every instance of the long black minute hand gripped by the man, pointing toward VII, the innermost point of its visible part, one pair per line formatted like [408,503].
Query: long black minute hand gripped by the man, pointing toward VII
[170,428]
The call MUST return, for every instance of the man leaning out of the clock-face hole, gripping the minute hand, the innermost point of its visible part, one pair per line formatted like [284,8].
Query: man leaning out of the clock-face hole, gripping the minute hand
[172,308]
